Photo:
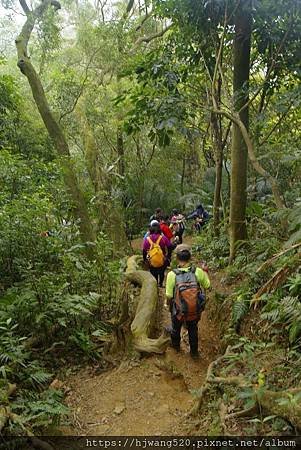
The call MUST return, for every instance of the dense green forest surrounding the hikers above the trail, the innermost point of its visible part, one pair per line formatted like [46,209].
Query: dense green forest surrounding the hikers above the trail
[110,109]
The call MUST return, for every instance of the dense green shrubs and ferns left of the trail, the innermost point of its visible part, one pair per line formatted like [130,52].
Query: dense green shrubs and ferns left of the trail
[55,304]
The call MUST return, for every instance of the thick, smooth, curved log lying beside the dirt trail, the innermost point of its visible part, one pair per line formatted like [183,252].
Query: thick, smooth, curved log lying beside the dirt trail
[146,310]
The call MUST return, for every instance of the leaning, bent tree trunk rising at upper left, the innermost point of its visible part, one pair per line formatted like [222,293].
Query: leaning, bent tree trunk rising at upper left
[55,132]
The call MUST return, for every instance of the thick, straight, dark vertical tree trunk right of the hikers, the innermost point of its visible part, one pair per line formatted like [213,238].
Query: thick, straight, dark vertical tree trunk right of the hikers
[239,153]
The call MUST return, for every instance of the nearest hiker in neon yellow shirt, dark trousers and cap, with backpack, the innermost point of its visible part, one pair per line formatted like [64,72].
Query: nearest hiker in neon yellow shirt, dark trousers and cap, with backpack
[185,299]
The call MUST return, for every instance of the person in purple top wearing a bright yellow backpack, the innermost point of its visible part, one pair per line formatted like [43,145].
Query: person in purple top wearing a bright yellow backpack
[157,252]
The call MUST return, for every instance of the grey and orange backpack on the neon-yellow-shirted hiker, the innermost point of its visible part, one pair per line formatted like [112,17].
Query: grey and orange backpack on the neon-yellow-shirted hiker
[189,299]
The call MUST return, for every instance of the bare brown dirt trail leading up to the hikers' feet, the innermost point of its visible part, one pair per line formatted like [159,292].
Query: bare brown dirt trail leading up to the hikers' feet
[142,397]
